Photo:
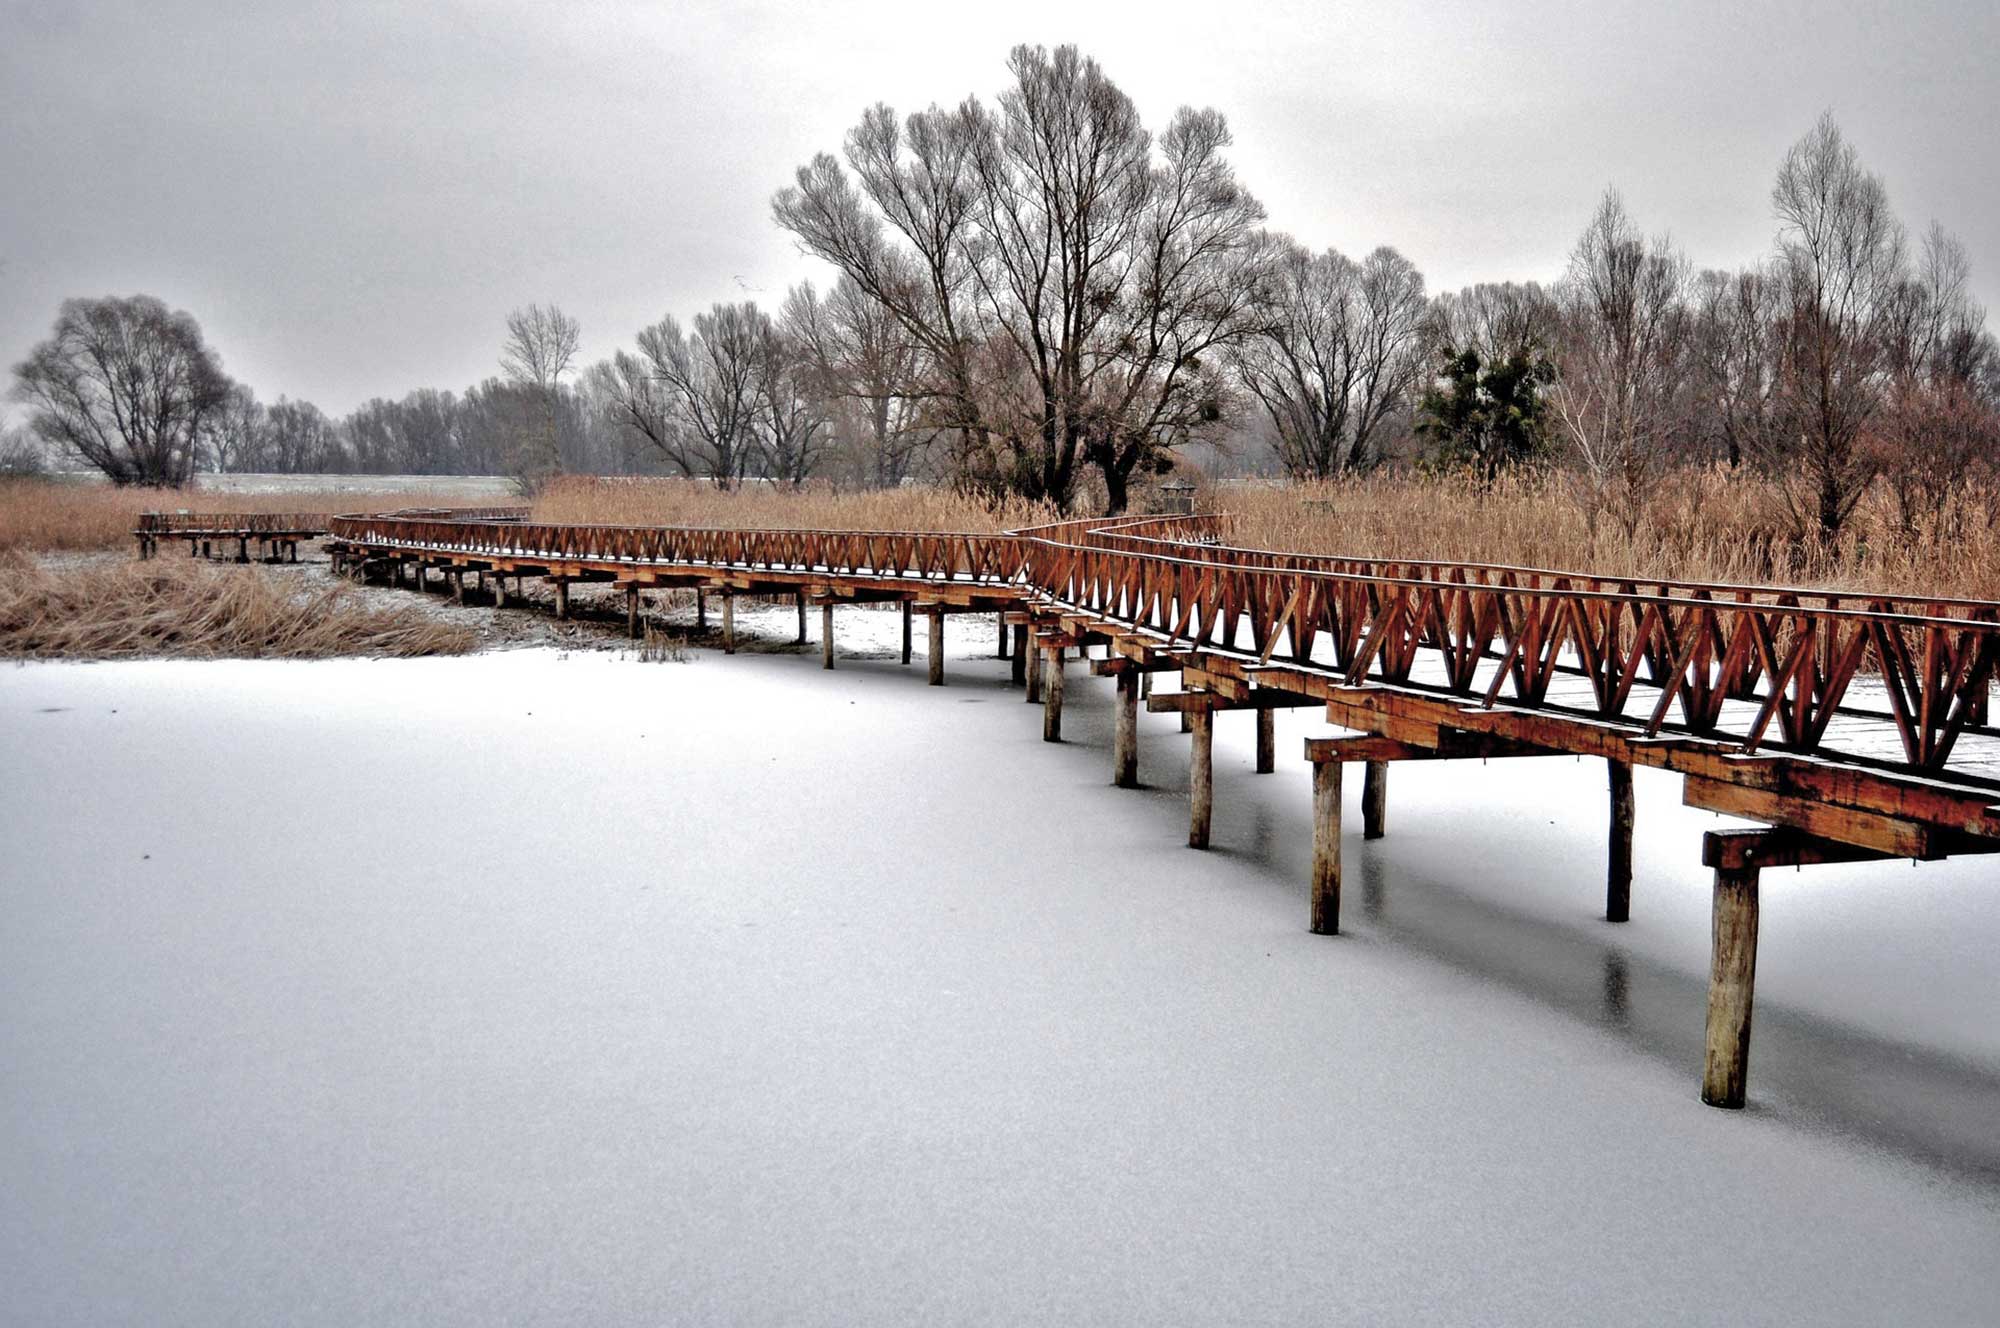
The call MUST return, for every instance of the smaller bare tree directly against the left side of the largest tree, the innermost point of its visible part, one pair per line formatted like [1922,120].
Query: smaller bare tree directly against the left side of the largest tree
[865,359]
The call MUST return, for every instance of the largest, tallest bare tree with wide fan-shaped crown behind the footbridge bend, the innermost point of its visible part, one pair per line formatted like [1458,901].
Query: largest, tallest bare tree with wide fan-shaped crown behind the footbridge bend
[1069,281]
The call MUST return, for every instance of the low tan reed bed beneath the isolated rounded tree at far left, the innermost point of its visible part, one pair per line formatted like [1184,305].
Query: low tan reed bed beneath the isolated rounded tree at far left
[55,517]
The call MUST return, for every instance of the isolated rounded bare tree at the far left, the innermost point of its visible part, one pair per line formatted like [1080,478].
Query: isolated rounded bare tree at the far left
[127,385]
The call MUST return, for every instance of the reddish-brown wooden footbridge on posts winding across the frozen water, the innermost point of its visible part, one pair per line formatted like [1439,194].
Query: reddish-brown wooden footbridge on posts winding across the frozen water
[1851,725]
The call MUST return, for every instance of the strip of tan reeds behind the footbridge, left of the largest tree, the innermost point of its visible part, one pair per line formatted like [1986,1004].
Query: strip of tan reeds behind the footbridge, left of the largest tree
[689,503]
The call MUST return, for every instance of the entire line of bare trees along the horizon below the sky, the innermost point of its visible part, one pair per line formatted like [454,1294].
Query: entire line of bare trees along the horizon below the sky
[1043,297]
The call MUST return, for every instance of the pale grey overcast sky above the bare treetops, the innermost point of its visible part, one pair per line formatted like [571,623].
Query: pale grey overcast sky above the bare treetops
[351,197]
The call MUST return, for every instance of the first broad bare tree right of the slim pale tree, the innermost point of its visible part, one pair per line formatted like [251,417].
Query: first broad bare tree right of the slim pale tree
[695,395]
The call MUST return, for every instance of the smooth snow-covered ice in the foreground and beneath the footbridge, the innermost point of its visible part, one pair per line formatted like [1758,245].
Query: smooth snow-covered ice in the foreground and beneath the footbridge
[541,987]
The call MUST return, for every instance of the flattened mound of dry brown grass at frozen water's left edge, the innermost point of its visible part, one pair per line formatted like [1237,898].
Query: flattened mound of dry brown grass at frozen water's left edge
[199,611]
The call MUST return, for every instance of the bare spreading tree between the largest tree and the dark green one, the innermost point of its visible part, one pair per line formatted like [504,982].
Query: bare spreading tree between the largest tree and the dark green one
[1339,355]
